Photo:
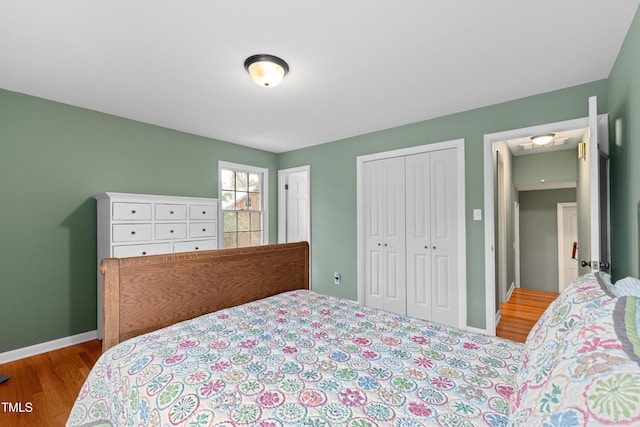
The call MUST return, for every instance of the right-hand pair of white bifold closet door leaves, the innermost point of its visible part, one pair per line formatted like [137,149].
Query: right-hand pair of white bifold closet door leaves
[431,236]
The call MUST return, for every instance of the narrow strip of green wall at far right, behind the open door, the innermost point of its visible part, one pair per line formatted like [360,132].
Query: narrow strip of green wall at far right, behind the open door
[624,125]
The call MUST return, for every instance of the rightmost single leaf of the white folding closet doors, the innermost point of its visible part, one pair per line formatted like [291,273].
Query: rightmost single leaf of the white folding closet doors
[444,237]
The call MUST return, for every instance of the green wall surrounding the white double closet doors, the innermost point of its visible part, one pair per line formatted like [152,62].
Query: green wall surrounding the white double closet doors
[333,181]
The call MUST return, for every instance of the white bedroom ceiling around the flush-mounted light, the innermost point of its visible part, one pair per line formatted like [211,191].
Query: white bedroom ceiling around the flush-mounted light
[357,66]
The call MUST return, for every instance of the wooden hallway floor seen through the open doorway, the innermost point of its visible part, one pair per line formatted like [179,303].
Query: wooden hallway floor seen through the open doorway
[521,312]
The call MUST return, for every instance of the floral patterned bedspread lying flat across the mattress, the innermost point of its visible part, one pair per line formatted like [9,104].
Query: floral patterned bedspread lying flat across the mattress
[304,359]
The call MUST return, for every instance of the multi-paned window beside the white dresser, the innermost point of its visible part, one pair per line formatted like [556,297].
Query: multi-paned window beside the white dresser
[243,196]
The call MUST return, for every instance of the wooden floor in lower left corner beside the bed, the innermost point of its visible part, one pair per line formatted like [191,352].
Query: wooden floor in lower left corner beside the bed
[43,388]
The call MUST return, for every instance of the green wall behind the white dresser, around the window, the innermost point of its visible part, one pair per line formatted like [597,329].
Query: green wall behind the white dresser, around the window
[53,159]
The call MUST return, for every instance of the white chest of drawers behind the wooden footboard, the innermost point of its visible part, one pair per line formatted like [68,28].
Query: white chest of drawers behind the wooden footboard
[142,224]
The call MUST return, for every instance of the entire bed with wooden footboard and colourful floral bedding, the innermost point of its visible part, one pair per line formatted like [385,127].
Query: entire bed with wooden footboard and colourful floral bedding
[283,355]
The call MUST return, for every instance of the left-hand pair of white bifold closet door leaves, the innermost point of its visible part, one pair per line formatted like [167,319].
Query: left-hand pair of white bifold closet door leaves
[384,225]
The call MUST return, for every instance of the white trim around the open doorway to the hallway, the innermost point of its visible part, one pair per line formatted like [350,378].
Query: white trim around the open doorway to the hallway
[489,197]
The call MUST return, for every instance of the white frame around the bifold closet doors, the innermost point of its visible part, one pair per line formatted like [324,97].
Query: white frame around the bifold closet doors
[458,145]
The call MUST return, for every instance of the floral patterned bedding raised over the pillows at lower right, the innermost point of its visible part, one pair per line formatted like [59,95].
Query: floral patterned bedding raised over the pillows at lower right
[582,366]
